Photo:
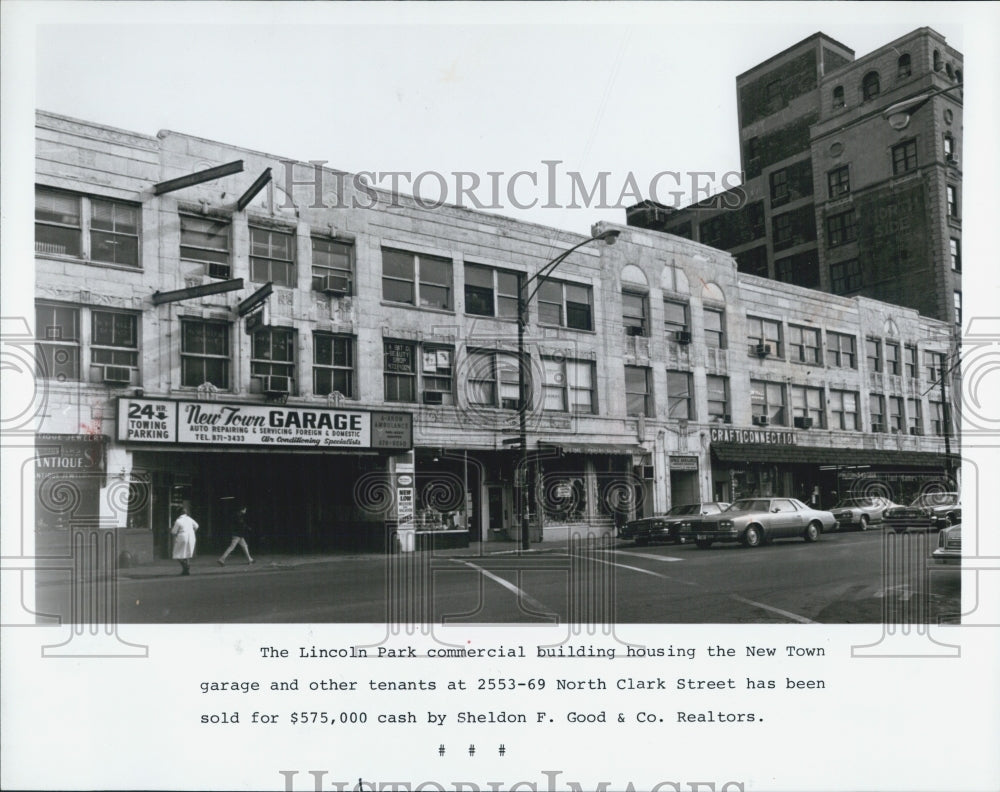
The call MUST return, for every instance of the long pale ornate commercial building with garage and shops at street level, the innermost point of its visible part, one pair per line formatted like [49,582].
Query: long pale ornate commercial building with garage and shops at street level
[218,326]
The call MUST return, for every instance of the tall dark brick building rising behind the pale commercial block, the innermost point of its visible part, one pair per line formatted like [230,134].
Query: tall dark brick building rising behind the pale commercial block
[840,193]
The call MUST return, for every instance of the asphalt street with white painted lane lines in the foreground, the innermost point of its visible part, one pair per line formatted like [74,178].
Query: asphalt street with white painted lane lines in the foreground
[838,580]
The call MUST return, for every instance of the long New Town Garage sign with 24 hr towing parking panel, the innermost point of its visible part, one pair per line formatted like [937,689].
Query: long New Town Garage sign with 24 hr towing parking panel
[228,424]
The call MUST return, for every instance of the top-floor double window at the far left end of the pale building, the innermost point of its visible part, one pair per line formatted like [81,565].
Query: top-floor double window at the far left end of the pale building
[96,229]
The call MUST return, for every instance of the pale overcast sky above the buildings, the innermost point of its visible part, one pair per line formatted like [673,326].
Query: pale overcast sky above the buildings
[628,89]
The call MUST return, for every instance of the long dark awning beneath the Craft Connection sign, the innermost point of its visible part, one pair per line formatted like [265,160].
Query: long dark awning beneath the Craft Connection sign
[796,455]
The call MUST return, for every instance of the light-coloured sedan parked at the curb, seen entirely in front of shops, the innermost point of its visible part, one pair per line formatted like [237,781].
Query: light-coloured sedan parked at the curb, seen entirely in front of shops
[753,521]
